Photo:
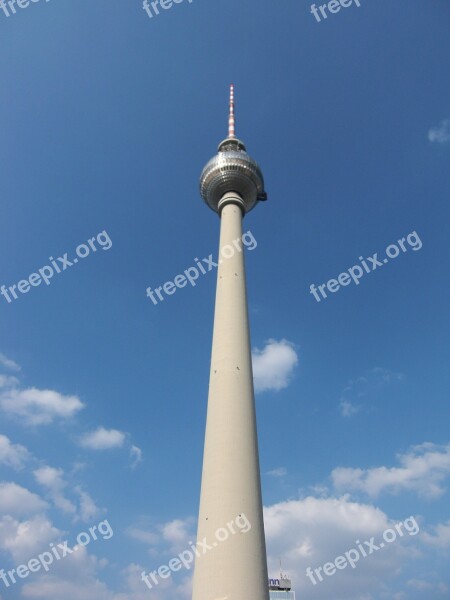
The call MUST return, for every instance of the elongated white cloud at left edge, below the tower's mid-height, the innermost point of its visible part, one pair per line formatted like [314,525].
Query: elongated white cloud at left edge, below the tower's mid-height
[39,407]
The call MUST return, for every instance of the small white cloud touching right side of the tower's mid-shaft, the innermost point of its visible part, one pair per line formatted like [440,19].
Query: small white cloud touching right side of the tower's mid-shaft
[273,366]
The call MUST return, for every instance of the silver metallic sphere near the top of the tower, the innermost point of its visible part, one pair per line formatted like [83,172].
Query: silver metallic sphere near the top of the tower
[232,170]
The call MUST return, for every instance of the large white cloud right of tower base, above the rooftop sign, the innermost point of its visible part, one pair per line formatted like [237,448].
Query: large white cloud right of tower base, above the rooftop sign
[311,532]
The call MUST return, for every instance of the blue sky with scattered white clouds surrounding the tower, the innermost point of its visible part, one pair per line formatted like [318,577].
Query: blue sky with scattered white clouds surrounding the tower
[107,118]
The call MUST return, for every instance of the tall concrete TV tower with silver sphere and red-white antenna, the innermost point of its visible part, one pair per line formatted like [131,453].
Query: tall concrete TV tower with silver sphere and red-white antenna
[235,569]
